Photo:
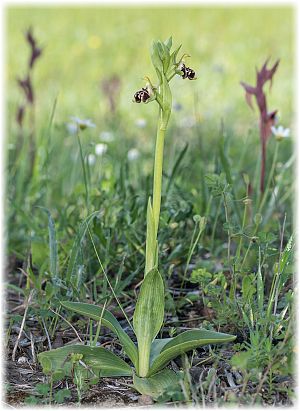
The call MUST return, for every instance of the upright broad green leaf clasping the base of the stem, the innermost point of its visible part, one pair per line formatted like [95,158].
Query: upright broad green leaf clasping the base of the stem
[148,316]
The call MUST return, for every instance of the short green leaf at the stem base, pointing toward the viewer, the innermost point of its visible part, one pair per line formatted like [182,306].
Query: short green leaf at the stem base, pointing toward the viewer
[157,384]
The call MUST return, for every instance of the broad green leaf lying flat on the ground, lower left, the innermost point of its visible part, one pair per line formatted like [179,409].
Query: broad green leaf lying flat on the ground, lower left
[95,361]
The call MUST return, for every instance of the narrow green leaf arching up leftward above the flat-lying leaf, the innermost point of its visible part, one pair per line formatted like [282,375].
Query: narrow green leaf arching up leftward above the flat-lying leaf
[109,321]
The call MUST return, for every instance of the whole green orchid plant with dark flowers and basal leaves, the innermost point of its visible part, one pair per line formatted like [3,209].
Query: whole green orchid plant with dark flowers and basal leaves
[150,355]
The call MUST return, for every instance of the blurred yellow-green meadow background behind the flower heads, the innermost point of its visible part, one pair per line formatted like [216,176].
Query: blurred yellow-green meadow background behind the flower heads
[85,45]
